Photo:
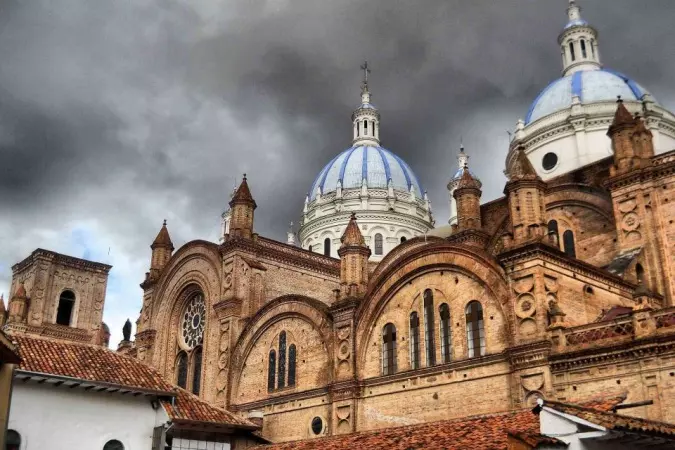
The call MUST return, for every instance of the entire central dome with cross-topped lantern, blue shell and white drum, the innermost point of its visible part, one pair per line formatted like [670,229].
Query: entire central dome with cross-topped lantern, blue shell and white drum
[371,181]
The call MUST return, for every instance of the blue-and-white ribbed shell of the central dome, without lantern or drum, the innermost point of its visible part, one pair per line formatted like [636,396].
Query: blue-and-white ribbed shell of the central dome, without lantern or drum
[376,164]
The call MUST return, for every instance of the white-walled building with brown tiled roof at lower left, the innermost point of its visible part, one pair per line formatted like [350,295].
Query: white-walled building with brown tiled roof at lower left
[81,396]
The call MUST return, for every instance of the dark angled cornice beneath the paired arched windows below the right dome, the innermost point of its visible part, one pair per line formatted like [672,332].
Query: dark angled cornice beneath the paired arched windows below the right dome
[537,250]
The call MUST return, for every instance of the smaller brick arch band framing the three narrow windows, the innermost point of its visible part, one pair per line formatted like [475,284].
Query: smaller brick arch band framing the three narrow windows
[307,309]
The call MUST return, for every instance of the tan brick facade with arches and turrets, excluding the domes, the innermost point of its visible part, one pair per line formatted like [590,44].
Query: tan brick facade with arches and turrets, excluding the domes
[549,297]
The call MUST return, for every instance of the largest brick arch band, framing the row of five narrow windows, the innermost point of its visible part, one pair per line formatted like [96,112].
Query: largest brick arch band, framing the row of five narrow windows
[434,257]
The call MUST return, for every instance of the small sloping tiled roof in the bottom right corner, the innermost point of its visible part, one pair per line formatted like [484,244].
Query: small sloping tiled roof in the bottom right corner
[613,421]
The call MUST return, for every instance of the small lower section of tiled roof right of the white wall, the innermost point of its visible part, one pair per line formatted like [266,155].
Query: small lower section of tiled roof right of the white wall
[189,407]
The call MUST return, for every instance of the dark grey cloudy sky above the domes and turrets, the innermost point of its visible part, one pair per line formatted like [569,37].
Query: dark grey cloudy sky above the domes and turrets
[115,115]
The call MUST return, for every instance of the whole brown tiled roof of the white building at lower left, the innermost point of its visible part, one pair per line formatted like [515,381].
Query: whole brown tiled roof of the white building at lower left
[101,365]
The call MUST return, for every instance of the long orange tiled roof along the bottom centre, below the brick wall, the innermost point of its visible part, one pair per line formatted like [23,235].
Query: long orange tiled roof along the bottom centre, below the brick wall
[475,432]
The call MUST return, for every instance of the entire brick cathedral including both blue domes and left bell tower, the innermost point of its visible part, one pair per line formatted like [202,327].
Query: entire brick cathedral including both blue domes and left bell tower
[373,316]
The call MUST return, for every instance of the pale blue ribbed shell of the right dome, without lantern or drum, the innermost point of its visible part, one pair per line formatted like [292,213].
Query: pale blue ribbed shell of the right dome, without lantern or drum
[589,85]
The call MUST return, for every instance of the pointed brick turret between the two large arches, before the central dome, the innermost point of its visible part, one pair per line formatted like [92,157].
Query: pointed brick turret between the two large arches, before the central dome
[353,261]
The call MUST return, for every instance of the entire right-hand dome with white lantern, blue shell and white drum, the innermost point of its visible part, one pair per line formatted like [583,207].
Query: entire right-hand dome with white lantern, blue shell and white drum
[566,126]
